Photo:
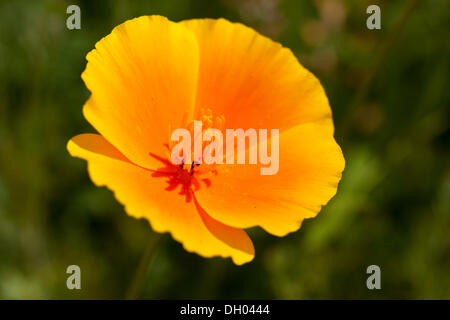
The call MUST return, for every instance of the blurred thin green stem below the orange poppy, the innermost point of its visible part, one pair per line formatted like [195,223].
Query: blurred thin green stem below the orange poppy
[146,260]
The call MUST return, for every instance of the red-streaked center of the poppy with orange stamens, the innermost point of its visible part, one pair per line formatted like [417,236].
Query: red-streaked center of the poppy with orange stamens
[189,177]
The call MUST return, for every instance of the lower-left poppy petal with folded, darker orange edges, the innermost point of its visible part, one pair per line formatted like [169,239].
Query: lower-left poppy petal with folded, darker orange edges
[144,197]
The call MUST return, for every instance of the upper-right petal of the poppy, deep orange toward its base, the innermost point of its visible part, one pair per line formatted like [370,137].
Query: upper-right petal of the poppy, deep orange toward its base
[253,81]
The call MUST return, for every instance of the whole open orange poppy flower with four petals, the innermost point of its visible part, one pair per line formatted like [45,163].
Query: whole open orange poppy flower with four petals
[151,75]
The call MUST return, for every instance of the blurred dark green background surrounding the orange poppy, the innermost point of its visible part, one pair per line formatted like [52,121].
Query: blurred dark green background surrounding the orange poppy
[389,93]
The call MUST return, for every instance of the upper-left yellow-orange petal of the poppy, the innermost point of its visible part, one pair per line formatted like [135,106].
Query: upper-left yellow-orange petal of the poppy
[143,79]
